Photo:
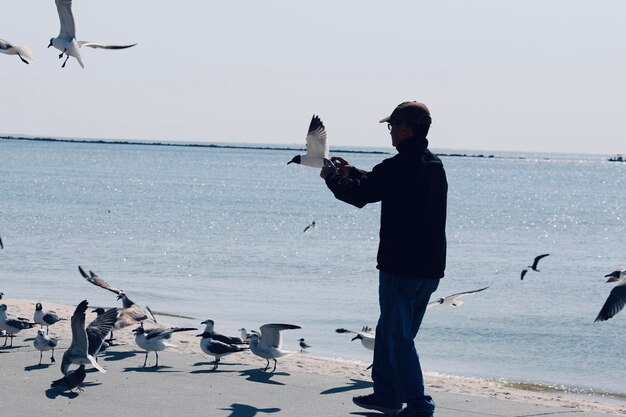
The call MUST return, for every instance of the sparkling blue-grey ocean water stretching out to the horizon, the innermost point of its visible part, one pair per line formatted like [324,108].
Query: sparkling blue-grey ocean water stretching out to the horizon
[218,232]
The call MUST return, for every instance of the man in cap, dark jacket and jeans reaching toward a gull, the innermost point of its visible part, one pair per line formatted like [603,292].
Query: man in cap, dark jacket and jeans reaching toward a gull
[412,189]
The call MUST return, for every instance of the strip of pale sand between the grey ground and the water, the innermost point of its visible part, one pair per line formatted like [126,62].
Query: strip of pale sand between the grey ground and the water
[187,344]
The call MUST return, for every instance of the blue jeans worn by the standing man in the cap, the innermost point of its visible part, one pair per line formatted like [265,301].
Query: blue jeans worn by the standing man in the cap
[396,371]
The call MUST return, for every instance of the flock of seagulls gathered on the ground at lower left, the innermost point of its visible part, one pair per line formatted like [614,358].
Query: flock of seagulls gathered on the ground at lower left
[88,340]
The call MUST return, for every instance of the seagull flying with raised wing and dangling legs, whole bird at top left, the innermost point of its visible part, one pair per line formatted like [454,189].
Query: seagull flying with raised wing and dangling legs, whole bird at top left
[66,40]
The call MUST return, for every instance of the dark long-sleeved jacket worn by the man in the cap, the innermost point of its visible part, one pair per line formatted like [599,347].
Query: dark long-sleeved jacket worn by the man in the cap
[413,189]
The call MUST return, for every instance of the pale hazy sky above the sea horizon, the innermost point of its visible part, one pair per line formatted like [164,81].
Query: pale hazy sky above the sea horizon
[498,75]
